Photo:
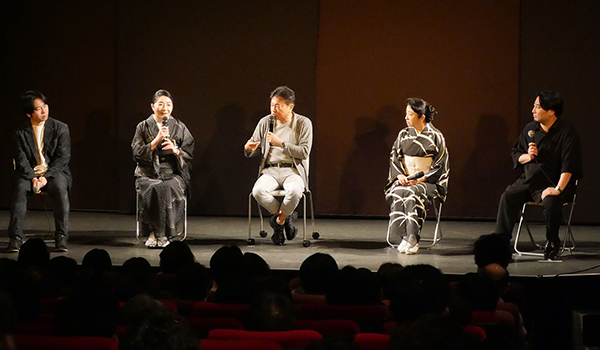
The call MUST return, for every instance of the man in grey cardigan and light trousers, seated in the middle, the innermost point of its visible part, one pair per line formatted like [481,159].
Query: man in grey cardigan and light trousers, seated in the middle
[285,140]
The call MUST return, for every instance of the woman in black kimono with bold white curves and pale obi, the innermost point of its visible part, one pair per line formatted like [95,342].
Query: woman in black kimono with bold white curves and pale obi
[419,147]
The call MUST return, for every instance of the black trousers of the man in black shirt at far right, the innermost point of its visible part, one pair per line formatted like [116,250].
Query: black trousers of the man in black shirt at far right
[511,203]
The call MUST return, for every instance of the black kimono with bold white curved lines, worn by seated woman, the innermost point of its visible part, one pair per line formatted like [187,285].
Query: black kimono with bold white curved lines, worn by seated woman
[412,152]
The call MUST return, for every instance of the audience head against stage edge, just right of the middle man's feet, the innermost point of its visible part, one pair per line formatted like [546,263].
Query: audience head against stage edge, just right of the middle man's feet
[317,273]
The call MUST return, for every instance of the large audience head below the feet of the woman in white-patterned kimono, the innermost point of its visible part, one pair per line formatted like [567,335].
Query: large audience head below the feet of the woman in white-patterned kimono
[419,290]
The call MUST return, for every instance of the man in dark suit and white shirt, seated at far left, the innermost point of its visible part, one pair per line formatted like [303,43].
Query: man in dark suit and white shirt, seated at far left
[42,151]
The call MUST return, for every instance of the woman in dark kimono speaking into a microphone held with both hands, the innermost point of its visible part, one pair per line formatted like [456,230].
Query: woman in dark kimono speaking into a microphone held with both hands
[163,150]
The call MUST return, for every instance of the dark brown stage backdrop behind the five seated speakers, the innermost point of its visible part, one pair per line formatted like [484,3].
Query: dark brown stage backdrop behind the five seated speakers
[351,64]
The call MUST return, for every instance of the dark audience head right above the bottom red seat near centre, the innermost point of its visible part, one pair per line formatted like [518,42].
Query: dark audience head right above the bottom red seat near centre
[270,312]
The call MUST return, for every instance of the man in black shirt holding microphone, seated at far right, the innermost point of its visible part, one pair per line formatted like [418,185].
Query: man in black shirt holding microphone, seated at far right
[549,152]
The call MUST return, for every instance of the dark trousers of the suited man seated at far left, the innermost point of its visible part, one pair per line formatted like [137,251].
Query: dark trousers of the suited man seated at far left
[57,188]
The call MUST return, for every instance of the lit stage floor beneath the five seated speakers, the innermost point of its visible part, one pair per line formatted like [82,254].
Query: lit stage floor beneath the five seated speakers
[356,242]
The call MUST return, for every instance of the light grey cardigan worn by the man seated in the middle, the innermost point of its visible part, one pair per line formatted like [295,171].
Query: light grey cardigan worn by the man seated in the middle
[298,148]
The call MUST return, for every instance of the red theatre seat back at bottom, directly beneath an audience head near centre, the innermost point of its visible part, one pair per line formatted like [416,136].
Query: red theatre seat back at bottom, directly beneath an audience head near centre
[286,339]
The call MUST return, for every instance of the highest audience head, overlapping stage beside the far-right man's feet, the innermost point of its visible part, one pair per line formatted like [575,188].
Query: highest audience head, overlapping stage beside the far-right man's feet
[492,248]
